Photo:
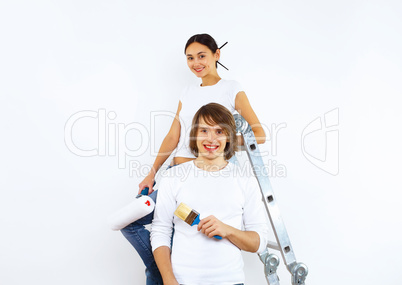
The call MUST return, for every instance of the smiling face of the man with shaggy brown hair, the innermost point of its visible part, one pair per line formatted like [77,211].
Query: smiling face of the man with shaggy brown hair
[211,140]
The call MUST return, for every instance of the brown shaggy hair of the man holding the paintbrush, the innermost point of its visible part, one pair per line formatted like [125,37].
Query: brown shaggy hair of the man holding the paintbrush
[214,113]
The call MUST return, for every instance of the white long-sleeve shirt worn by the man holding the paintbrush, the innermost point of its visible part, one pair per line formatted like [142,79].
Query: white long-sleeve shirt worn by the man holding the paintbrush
[232,197]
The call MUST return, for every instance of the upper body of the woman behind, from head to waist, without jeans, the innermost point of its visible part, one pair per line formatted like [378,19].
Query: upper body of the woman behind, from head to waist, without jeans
[202,55]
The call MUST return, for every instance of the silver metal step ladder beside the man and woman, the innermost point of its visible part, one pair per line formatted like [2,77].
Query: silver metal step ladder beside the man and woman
[298,270]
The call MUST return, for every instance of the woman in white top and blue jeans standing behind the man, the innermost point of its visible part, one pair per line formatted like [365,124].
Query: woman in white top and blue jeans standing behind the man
[202,55]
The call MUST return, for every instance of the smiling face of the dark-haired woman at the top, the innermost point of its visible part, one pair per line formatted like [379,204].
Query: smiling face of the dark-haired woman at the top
[201,60]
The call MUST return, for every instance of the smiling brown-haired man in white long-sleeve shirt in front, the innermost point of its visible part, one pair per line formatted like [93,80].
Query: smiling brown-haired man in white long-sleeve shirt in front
[226,201]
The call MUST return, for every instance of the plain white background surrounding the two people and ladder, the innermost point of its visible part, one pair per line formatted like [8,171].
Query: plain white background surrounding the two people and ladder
[296,60]
